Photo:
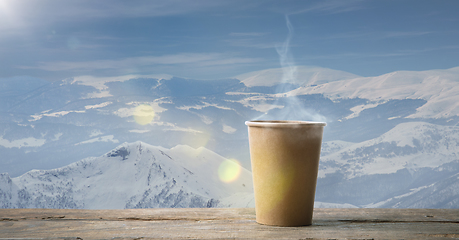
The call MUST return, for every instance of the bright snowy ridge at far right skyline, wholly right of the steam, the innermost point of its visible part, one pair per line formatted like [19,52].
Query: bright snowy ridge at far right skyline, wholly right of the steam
[439,88]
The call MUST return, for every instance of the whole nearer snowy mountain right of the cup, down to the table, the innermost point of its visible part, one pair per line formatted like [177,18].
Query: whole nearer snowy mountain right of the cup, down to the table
[391,170]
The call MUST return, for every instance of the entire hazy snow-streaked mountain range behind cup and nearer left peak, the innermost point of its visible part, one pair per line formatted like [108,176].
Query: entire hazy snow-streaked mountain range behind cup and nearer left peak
[389,139]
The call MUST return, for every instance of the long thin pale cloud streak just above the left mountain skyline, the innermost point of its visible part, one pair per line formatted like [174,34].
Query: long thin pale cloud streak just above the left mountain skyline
[182,59]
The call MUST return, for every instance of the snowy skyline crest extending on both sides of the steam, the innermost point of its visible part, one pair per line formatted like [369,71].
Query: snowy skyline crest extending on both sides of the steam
[439,88]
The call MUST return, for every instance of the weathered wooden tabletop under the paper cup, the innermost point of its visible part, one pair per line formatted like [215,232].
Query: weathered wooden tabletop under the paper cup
[225,223]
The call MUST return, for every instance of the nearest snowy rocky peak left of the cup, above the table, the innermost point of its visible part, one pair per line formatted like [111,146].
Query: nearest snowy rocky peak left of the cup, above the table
[135,175]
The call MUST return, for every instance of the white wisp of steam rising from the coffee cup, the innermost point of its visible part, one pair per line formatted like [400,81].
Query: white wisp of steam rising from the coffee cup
[293,107]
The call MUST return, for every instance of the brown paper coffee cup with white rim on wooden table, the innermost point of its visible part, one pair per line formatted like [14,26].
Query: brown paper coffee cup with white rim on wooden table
[285,162]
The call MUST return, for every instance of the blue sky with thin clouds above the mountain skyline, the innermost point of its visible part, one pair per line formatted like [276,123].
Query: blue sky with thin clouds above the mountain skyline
[208,39]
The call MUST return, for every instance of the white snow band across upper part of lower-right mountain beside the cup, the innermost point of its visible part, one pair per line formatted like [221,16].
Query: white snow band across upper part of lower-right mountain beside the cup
[410,145]
